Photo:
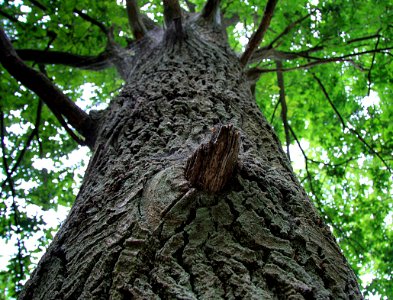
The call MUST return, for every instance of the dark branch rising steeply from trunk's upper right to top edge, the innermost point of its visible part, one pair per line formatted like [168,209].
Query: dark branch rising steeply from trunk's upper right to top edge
[257,37]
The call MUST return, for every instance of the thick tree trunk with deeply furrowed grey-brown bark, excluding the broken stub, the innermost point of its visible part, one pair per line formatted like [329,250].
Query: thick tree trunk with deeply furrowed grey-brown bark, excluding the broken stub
[140,230]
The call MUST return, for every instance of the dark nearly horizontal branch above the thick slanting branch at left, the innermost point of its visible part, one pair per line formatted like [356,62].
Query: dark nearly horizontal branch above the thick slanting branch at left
[95,63]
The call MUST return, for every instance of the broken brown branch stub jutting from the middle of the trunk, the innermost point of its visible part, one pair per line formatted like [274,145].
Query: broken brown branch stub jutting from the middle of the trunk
[212,164]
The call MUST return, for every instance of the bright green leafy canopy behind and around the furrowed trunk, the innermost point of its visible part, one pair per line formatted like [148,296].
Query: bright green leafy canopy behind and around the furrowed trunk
[326,65]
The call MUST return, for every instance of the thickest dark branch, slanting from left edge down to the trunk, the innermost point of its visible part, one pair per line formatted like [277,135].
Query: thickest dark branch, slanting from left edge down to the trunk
[44,88]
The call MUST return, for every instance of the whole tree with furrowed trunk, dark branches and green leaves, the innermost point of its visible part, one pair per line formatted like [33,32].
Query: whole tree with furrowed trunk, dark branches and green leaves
[149,220]
